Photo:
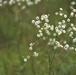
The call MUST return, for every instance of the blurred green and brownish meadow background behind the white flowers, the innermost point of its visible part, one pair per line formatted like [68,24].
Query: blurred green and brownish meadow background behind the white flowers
[17,31]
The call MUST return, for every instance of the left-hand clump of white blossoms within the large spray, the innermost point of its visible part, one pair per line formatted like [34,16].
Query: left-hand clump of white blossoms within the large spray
[42,23]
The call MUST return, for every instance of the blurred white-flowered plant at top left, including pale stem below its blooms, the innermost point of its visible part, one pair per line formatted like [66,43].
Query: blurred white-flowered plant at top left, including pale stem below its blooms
[18,7]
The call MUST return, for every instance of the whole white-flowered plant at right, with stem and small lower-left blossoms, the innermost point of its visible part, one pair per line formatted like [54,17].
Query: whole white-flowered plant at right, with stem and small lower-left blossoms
[60,36]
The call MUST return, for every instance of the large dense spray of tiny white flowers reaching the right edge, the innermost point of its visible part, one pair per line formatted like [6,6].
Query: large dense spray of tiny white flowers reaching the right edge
[57,35]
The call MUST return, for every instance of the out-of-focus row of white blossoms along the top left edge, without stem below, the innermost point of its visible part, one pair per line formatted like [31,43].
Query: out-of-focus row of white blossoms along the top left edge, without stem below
[20,3]
